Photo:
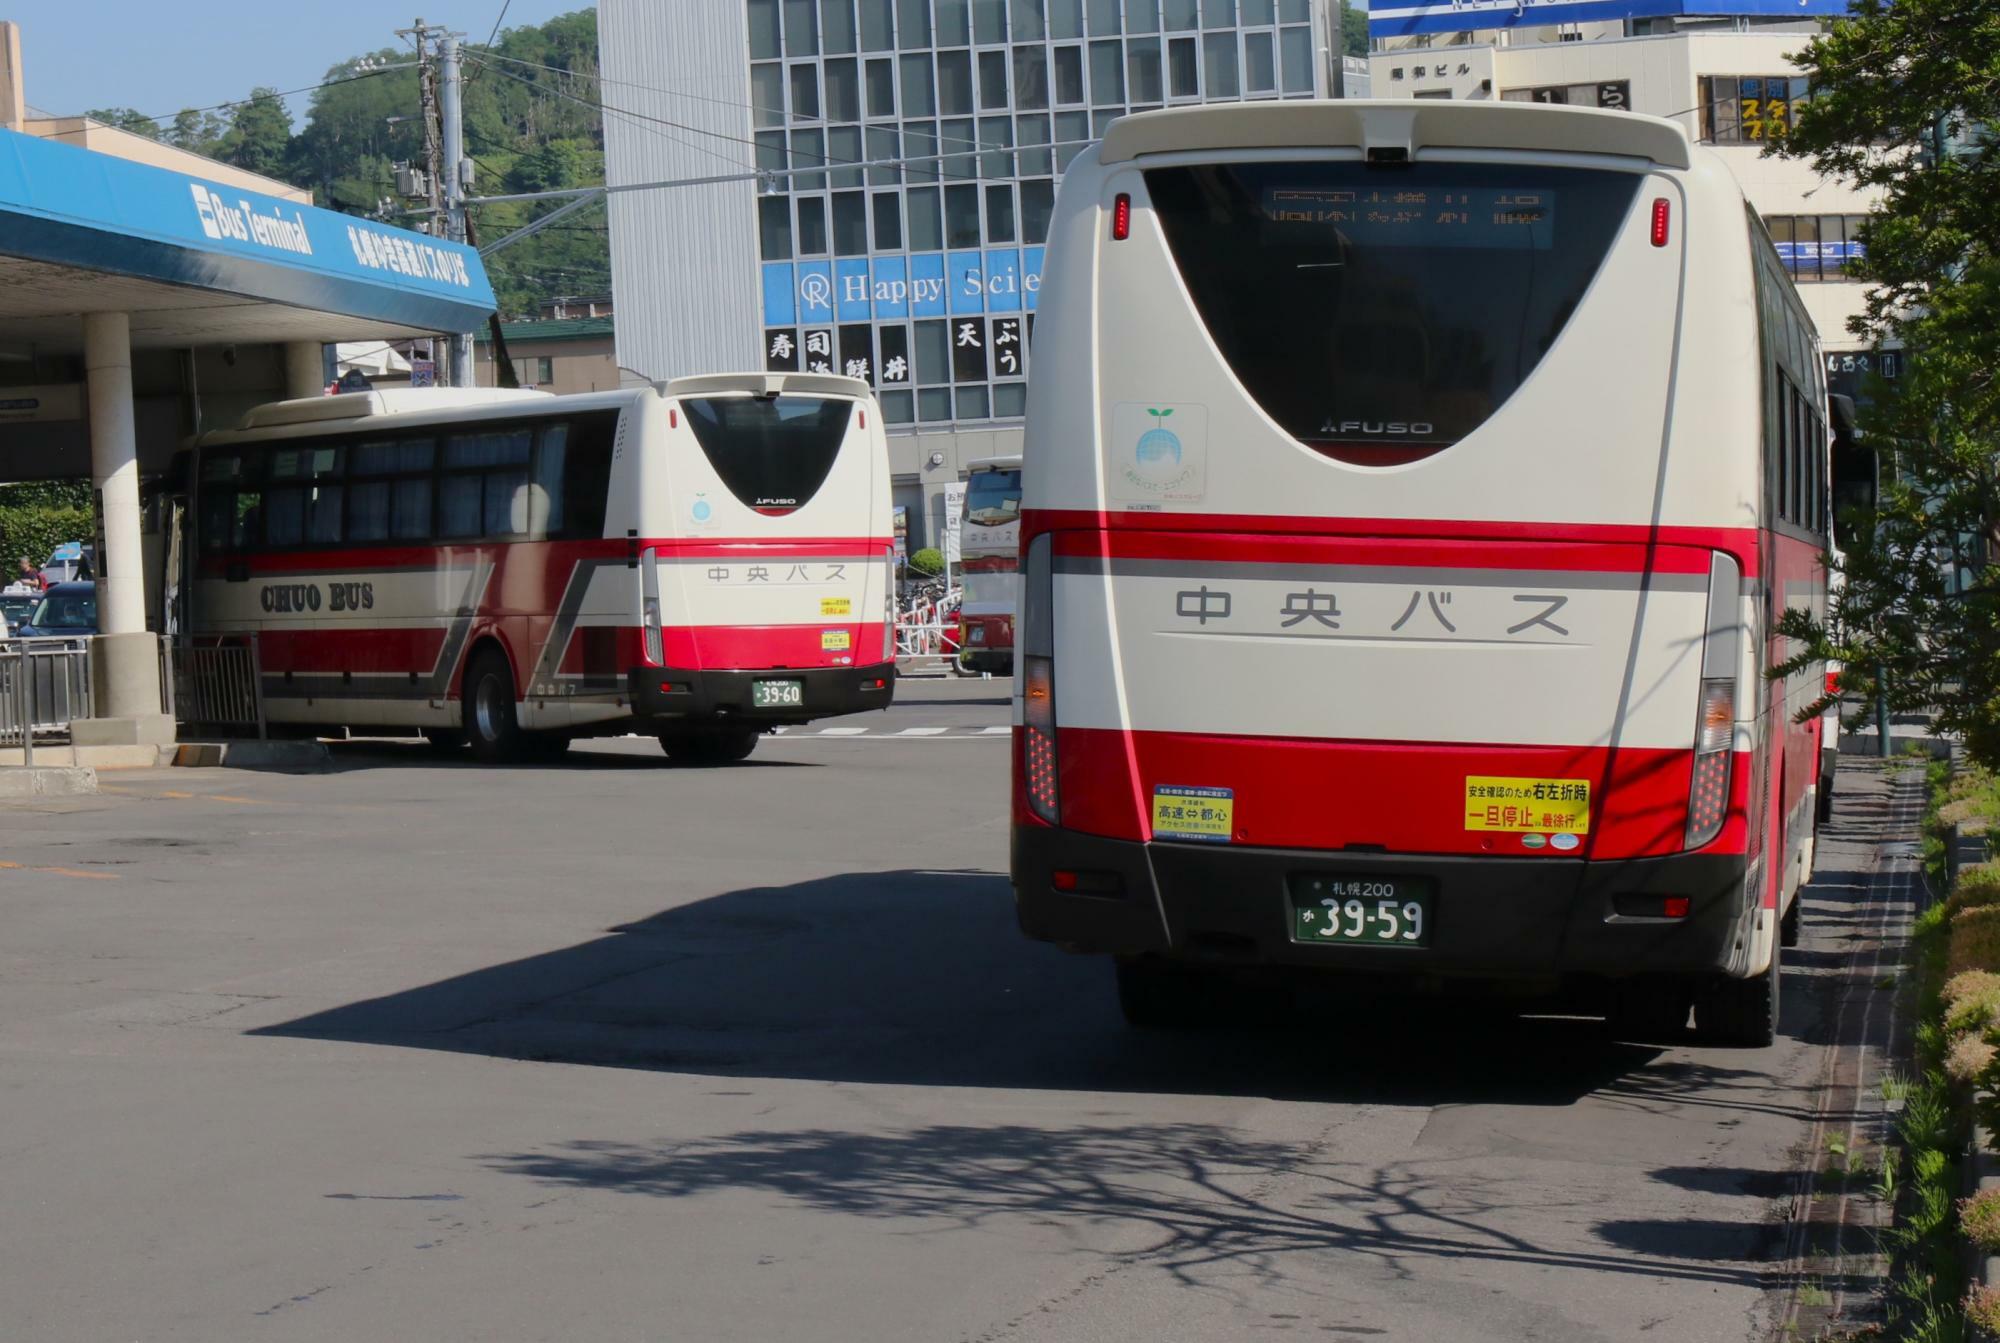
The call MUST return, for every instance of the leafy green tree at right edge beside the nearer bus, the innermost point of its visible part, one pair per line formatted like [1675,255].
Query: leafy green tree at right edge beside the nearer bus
[1903,103]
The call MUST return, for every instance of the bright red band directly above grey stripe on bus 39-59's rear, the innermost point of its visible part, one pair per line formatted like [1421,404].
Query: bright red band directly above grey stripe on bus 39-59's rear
[1387,553]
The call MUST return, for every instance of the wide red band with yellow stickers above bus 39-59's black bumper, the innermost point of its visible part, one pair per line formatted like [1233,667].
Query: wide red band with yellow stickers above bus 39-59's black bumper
[1403,796]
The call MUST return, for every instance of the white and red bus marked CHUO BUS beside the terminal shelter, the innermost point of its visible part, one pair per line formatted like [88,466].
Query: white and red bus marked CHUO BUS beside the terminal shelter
[697,561]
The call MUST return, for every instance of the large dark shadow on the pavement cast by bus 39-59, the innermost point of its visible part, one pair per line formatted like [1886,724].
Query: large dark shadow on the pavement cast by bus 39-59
[923,978]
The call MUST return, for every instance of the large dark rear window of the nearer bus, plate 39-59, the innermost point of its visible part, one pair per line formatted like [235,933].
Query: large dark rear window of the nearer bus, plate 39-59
[1381,317]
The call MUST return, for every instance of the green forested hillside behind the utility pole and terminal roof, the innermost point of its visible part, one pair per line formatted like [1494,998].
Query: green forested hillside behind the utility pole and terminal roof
[533,125]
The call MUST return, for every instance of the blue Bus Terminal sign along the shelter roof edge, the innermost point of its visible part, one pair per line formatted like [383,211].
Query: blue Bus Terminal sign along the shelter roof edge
[71,207]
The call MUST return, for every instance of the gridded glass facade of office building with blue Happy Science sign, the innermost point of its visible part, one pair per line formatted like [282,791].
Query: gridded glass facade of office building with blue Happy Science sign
[915,259]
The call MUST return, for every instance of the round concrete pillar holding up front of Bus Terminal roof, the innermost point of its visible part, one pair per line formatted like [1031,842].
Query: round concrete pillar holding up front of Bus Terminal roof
[127,657]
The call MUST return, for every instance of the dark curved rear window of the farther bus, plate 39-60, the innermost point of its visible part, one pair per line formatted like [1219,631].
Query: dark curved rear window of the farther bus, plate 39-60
[771,453]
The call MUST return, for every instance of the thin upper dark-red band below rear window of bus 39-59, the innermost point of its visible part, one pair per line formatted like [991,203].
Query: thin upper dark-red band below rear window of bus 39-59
[1261,529]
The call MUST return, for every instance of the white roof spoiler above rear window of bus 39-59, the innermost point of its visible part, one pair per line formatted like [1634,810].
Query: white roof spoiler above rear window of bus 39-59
[1383,129]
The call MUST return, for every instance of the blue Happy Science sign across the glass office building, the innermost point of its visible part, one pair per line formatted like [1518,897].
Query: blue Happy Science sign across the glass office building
[929,285]
